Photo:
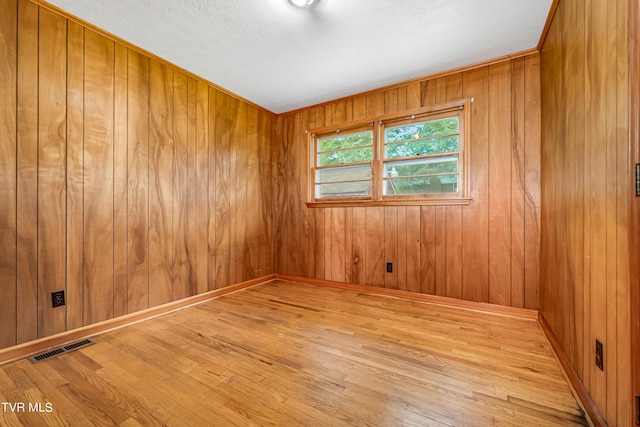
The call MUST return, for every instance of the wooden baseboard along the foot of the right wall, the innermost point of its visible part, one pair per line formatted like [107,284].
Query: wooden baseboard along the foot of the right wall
[577,387]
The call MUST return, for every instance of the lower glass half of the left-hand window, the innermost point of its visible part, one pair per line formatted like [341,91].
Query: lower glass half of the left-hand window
[346,181]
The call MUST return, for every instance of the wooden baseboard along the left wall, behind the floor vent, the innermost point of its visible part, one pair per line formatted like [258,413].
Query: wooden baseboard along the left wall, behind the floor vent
[30,348]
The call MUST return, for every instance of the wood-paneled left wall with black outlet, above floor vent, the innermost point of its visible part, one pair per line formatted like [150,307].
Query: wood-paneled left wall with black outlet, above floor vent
[123,181]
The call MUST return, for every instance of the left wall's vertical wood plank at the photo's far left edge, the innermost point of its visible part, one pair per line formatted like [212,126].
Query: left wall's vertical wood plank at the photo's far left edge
[8,229]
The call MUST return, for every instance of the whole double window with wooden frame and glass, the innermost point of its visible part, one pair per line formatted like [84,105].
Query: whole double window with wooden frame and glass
[396,159]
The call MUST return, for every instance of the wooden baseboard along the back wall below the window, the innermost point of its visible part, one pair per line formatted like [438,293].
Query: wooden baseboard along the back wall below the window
[433,299]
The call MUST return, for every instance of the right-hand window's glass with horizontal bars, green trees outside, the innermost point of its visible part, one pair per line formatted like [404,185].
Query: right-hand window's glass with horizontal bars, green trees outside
[421,156]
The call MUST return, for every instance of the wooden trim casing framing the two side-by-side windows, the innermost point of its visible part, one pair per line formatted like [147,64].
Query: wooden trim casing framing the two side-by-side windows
[462,197]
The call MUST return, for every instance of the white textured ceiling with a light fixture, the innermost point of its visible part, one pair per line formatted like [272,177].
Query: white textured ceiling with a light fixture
[284,58]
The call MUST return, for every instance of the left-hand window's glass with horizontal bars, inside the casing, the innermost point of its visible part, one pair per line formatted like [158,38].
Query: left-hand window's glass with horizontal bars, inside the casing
[343,164]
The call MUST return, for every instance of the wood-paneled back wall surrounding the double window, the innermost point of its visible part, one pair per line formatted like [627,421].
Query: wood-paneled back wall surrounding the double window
[487,251]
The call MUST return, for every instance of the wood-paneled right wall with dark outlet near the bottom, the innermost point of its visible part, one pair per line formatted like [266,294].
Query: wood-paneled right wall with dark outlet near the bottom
[584,287]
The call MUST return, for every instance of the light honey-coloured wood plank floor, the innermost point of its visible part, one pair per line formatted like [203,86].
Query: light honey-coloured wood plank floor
[290,354]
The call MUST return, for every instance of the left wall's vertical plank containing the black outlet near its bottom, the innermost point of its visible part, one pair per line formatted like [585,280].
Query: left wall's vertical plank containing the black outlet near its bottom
[51,170]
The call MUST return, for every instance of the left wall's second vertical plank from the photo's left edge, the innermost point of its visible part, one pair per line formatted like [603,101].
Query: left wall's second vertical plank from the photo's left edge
[27,174]
